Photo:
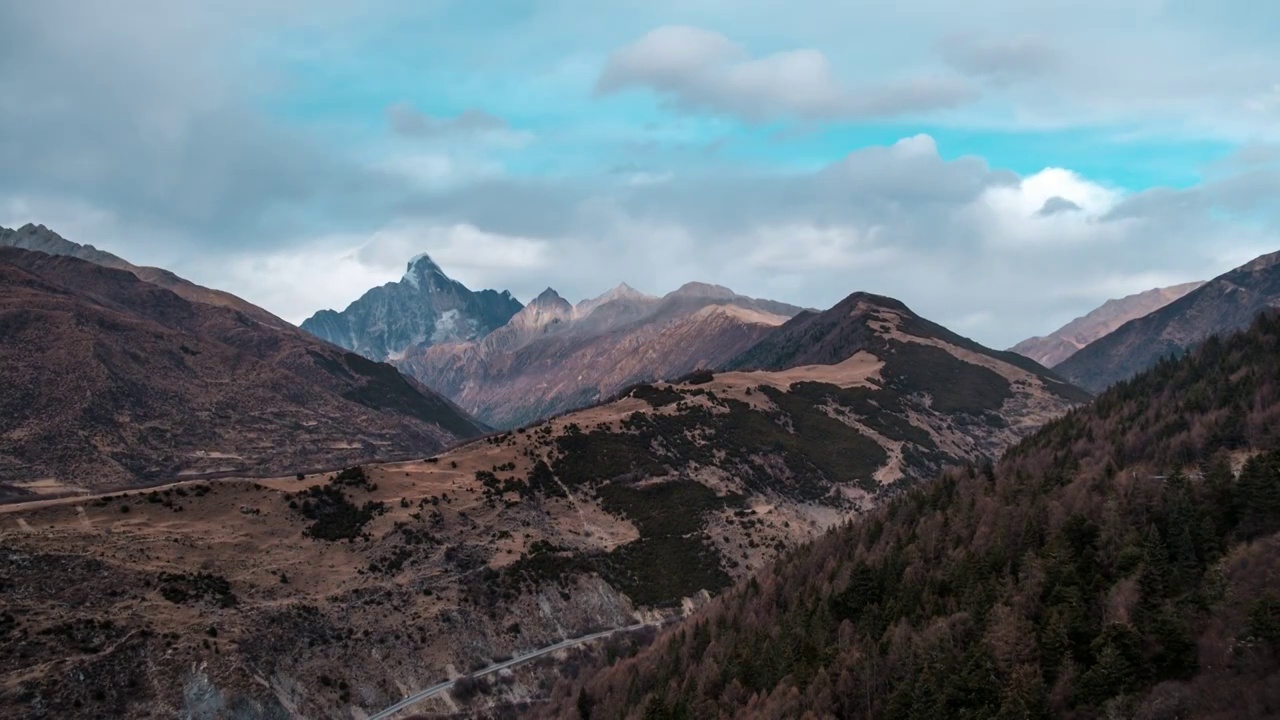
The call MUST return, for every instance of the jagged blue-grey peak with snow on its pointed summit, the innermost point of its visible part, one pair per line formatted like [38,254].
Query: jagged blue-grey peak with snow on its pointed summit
[424,308]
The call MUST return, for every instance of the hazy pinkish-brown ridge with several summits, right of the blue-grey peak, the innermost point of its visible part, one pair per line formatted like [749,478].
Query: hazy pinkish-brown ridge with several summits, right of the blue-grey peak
[555,357]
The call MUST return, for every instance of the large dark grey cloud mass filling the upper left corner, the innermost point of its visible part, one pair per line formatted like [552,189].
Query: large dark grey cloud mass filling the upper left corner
[135,108]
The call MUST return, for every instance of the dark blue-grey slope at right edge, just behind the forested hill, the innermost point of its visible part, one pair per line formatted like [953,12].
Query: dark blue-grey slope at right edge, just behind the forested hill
[1226,304]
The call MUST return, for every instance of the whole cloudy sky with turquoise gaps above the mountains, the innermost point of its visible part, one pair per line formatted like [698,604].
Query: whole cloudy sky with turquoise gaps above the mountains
[1000,166]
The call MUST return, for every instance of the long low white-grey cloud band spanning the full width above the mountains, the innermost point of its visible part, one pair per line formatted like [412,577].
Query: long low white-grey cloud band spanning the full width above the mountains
[961,243]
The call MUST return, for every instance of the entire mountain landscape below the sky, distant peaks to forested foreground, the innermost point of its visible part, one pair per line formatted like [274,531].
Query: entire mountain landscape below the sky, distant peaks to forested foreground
[851,512]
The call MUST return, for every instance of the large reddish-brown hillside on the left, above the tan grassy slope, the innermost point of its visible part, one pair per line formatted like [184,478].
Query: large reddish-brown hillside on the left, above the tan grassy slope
[111,380]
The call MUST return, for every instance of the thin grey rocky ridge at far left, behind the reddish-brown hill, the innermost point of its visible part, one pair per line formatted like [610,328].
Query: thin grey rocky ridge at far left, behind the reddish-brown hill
[44,240]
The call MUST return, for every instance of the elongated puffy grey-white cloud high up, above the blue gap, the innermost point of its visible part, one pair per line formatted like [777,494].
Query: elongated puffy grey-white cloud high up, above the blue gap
[700,70]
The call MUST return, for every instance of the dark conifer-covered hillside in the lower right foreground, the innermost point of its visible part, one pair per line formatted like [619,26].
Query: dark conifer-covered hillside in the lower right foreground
[1122,563]
